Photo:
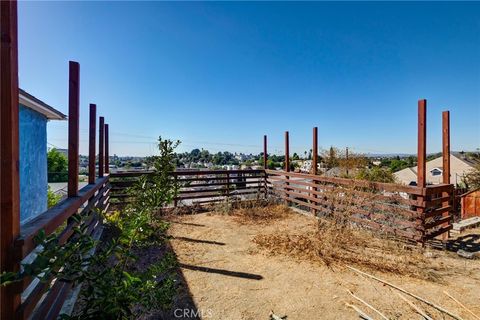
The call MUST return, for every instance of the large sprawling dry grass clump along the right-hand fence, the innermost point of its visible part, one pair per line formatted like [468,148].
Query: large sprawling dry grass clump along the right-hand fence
[339,245]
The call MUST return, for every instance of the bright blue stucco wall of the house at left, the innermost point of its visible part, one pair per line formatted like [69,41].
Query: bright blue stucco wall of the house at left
[33,163]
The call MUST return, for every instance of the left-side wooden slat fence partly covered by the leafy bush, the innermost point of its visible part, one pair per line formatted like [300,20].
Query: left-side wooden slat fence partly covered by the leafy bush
[43,300]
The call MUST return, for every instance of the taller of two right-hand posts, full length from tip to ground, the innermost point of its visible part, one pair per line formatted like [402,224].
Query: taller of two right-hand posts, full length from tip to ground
[421,157]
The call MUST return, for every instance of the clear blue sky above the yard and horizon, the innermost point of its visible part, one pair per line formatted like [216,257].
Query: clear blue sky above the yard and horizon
[221,75]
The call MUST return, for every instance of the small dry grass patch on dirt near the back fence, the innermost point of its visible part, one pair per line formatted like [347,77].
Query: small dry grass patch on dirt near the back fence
[261,214]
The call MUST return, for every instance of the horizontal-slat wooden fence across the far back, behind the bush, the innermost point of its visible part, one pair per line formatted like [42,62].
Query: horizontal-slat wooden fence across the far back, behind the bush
[198,186]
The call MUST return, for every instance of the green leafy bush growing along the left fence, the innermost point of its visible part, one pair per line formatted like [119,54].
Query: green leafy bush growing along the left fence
[112,286]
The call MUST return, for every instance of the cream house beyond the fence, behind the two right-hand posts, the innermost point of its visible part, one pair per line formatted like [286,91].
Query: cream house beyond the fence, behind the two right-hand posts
[459,167]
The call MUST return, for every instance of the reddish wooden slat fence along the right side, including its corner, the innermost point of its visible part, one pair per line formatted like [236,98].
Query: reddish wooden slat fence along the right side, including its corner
[413,213]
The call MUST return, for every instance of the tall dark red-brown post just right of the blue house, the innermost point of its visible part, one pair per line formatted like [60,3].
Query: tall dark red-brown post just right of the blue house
[73,127]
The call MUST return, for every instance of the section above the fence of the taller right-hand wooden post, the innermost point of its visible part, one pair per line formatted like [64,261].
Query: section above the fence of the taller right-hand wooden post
[422,143]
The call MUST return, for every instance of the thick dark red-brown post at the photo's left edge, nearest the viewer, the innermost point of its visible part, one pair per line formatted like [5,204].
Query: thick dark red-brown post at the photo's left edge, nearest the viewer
[9,155]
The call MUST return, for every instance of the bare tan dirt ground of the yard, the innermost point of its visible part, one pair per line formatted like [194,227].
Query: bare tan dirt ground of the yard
[230,277]
